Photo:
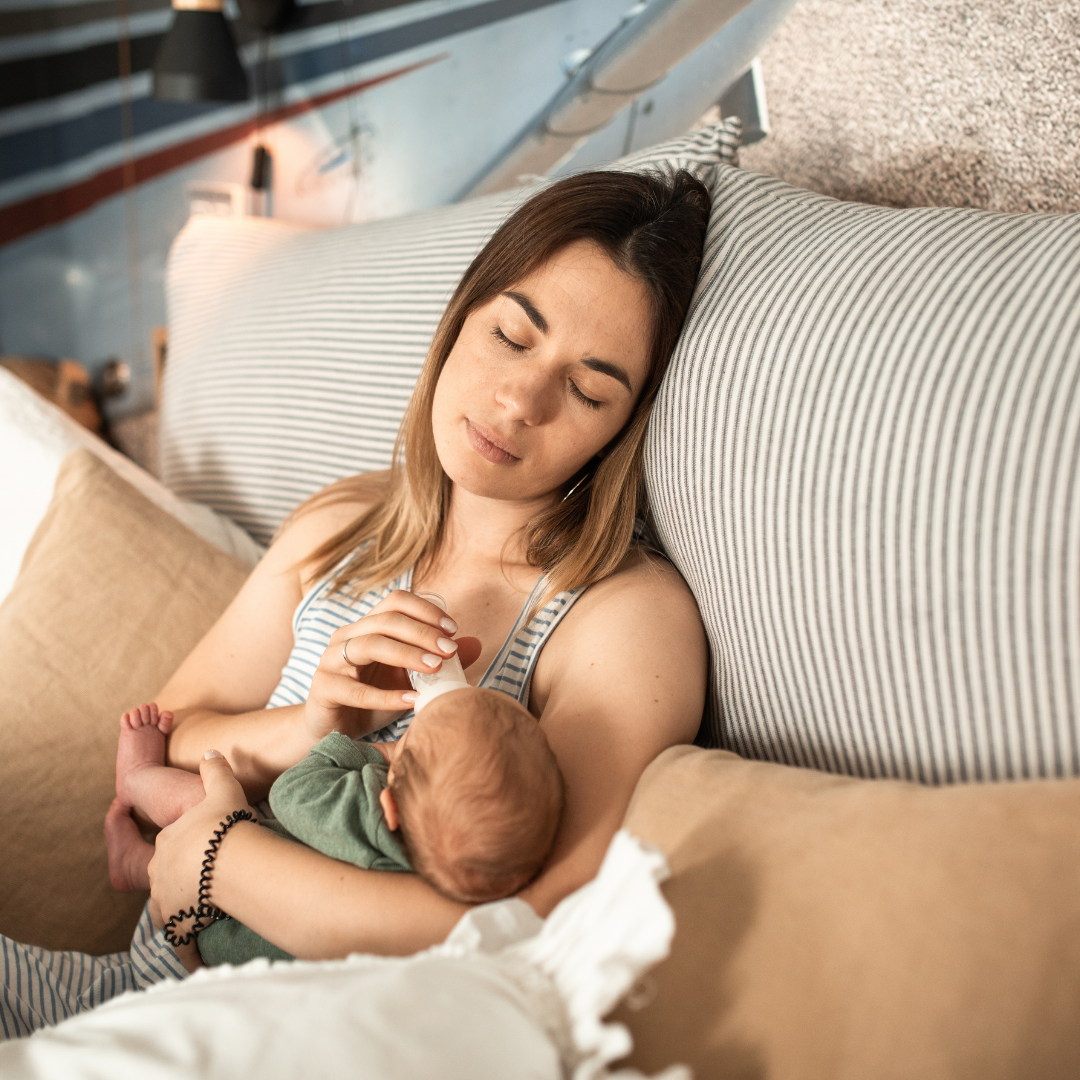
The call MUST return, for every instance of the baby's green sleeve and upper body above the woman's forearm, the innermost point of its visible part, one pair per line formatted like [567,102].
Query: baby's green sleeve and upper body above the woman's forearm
[329,803]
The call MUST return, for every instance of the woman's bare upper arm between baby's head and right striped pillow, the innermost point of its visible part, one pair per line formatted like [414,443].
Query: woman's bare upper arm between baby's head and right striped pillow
[623,680]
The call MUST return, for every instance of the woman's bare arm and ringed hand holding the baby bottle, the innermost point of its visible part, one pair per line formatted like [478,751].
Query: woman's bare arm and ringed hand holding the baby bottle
[219,694]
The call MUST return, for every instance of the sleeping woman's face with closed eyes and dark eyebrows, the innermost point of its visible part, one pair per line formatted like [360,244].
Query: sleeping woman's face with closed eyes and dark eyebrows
[543,377]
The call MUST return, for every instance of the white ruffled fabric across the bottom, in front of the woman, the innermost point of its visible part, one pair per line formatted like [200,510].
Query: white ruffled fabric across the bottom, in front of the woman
[507,996]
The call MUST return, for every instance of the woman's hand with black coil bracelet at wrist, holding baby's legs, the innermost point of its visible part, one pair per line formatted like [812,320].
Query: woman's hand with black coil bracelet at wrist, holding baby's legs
[180,848]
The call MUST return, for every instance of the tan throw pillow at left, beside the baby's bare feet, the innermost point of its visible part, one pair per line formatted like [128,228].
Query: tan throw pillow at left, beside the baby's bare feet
[113,595]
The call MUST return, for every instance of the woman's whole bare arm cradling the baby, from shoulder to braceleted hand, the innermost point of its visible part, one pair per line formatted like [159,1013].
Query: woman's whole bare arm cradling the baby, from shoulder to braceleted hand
[620,681]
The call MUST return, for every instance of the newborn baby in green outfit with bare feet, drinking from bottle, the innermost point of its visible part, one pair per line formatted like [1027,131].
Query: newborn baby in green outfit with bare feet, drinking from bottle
[470,799]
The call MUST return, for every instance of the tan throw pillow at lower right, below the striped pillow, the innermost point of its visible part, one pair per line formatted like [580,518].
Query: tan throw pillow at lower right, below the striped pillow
[838,928]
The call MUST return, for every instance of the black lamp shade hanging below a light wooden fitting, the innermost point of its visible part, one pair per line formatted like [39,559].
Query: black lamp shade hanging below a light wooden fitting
[198,61]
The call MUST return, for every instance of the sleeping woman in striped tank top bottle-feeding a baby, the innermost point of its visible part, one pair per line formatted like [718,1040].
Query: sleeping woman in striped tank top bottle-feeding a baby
[516,494]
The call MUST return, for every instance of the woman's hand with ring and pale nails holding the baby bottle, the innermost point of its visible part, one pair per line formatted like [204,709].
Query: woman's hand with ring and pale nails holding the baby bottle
[362,683]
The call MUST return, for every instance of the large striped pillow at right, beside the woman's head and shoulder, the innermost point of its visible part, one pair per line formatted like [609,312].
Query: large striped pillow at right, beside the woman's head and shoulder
[865,461]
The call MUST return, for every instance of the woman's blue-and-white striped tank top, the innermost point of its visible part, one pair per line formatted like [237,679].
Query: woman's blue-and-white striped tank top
[326,610]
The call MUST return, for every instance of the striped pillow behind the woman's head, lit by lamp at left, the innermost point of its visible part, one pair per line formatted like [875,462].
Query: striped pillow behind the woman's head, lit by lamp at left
[293,354]
